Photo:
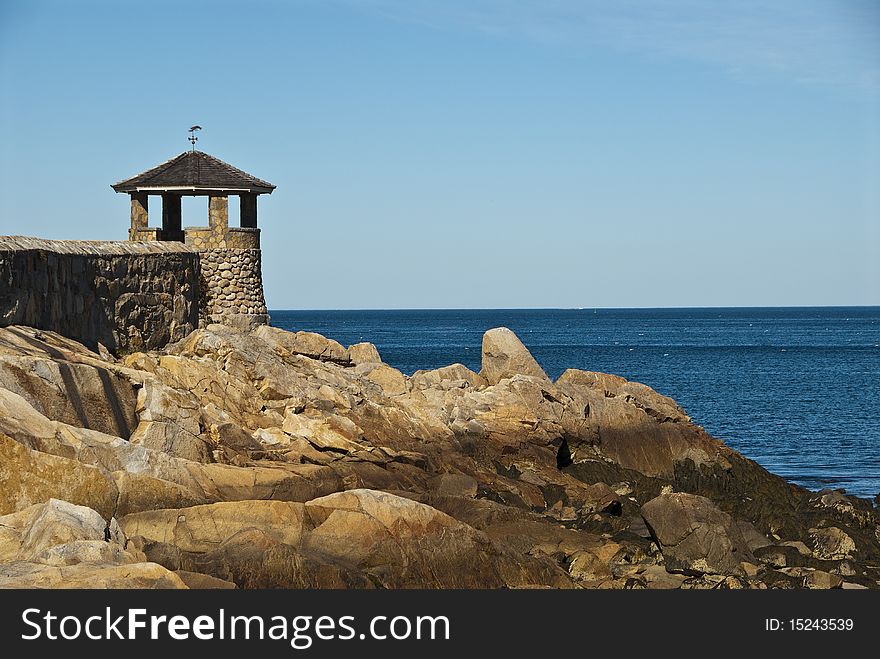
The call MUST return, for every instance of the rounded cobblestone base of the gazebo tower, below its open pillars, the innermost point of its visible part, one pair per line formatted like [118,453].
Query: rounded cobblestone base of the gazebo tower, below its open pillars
[232,287]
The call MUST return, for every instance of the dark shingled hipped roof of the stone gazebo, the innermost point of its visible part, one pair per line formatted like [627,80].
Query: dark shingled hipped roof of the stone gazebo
[197,172]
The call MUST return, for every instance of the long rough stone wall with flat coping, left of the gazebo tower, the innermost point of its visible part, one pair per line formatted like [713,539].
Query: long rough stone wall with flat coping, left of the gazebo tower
[125,295]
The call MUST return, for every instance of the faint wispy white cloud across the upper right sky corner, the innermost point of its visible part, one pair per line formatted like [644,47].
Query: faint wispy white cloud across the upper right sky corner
[817,42]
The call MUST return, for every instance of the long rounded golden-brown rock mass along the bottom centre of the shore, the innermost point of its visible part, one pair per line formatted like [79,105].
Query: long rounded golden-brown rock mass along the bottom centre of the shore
[395,541]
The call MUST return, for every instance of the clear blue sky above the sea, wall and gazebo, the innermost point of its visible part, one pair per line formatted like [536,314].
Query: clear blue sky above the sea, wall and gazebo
[473,153]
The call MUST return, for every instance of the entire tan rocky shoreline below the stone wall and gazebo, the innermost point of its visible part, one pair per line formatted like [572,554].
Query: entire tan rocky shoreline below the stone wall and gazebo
[271,459]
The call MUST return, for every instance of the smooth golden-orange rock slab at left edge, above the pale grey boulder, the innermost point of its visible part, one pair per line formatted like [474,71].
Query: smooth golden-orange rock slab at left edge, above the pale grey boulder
[28,477]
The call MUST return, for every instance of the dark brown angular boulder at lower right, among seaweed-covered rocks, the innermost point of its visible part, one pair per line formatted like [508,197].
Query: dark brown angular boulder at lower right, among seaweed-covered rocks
[695,536]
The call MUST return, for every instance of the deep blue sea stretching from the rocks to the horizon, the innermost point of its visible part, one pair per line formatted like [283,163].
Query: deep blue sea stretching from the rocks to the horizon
[793,388]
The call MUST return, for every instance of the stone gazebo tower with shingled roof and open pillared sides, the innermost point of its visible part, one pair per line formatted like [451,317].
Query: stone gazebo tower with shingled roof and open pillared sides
[231,279]
